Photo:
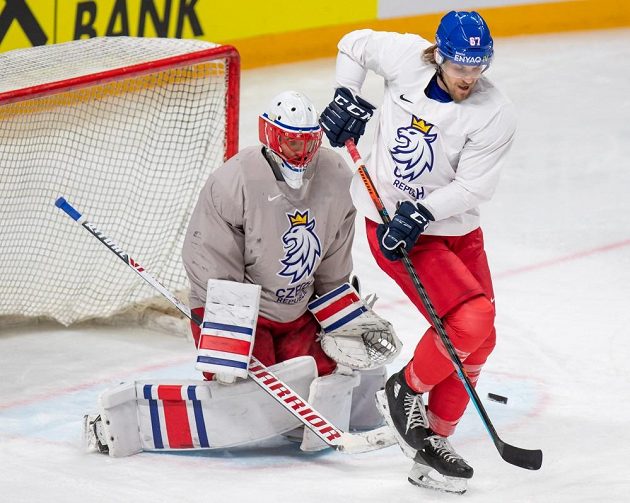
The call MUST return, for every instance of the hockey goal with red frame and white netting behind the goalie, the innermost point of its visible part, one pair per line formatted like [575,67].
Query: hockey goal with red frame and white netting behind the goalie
[127,129]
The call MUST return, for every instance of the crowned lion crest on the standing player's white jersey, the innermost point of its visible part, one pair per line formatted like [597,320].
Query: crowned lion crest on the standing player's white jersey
[414,152]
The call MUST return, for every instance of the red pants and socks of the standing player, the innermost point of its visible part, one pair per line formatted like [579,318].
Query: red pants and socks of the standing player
[454,271]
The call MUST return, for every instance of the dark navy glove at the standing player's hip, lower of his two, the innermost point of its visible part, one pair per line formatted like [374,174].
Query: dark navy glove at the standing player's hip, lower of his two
[408,223]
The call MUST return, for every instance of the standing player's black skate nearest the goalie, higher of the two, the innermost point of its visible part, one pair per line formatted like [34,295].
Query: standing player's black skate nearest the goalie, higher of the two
[405,413]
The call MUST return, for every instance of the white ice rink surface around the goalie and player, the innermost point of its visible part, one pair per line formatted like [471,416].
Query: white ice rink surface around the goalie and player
[558,239]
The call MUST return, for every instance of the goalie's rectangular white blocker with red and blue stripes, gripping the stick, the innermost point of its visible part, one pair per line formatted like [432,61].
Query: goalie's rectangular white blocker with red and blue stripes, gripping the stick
[228,329]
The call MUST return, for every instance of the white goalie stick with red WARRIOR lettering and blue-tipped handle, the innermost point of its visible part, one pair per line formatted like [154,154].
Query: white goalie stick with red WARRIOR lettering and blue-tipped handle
[351,443]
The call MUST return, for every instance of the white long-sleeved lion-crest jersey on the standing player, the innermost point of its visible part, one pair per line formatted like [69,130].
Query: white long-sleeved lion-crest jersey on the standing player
[447,156]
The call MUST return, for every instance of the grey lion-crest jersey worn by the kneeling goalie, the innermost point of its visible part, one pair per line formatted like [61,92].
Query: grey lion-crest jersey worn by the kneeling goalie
[250,227]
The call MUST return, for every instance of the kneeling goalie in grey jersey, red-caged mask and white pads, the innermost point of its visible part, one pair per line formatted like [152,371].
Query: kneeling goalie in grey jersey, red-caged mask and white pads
[268,256]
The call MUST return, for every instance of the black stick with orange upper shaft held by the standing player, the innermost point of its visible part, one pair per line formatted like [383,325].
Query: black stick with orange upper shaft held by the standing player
[525,458]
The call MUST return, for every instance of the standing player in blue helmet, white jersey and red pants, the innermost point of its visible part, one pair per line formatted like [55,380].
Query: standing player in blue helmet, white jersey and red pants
[440,143]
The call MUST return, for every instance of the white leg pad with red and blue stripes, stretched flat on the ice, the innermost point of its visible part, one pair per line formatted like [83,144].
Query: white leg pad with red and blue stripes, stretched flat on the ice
[168,415]
